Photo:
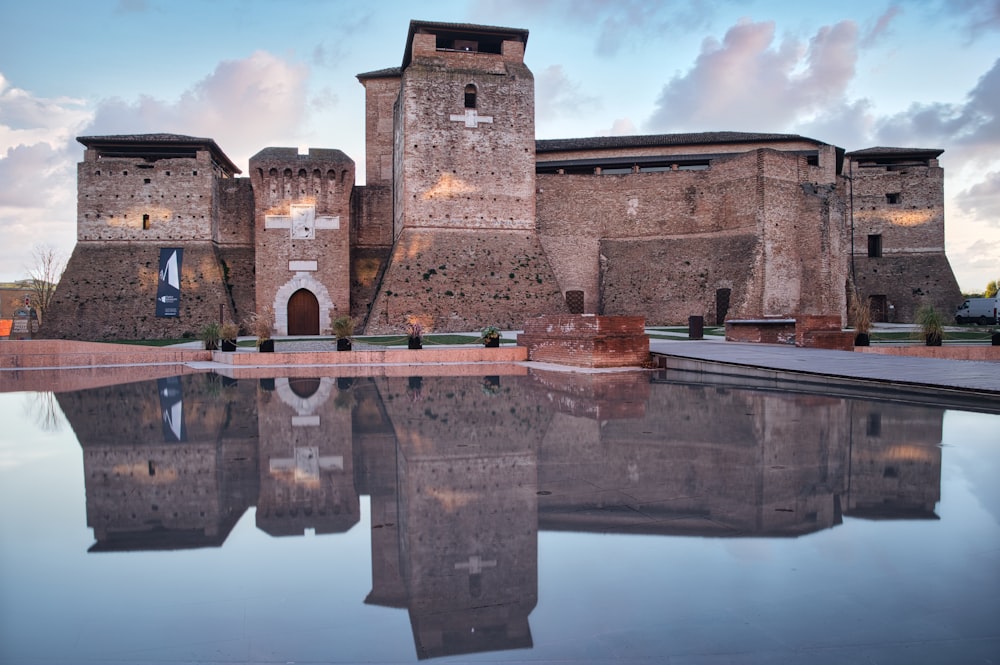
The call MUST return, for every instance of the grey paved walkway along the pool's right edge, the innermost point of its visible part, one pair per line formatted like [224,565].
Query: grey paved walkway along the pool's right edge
[979,377]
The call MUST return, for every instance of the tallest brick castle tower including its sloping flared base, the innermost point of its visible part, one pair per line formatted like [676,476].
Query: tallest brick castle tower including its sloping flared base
[465,249]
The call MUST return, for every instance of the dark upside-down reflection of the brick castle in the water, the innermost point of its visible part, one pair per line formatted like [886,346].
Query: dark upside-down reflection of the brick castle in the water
[462,472]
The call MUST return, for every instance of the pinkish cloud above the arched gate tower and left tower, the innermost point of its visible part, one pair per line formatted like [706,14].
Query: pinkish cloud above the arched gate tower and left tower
[243,105]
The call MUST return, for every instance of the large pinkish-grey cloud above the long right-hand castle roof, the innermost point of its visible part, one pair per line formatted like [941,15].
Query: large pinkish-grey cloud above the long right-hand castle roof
[748,82]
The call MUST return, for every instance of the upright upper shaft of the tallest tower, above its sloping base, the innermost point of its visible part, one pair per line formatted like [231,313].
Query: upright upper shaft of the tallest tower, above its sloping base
[465,129]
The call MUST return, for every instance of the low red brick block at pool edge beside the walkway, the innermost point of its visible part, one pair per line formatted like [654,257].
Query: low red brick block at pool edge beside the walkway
[586,340]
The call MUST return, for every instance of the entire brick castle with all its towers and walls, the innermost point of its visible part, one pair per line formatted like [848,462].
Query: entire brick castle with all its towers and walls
[466,219]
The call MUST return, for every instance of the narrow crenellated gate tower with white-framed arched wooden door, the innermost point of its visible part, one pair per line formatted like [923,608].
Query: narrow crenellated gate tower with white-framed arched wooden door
[302,209]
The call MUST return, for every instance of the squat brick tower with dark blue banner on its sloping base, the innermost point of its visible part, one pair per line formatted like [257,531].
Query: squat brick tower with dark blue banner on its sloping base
[139,196]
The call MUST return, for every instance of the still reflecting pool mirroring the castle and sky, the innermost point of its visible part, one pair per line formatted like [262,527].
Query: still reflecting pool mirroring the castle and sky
[540,517]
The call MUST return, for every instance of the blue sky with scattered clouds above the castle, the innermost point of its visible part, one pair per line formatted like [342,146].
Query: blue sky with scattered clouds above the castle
[252,74]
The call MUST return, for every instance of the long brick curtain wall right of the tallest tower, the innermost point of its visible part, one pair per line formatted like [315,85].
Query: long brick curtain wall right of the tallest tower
[665,244]
